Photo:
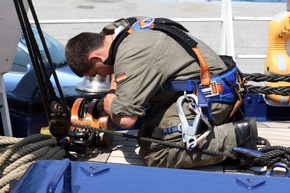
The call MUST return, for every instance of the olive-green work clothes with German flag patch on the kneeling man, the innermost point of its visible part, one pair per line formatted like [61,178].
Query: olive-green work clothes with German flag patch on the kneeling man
[144,61]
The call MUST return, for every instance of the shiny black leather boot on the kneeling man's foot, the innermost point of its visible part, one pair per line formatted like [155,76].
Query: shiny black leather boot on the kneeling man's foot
[246,133]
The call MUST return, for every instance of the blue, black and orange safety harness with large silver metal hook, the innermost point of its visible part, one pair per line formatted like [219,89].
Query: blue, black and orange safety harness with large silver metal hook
[224,87]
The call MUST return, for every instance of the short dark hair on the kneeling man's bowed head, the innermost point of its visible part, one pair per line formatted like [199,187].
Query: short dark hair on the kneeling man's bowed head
[78,49]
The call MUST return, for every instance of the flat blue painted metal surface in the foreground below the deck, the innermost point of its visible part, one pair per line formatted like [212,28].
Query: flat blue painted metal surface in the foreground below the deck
[92,177]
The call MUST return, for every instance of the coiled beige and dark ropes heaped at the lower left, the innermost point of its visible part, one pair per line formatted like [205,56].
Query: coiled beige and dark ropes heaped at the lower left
[18,157]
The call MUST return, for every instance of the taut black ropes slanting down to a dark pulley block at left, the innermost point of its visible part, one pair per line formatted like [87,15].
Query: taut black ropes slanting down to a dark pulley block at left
[56,107]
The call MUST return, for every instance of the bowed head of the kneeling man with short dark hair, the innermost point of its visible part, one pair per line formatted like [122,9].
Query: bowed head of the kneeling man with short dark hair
[86,52]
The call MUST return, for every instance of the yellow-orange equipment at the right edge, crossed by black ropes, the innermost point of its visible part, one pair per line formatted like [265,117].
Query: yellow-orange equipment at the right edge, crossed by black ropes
[278,60]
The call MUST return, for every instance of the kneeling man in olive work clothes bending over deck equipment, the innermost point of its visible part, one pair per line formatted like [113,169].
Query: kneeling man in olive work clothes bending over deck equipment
[142,63]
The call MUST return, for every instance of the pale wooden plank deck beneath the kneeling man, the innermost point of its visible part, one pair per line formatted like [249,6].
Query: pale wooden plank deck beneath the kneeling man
[125,151]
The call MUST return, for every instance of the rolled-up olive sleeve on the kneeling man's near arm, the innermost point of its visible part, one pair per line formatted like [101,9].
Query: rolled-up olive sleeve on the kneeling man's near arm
[140,84]
